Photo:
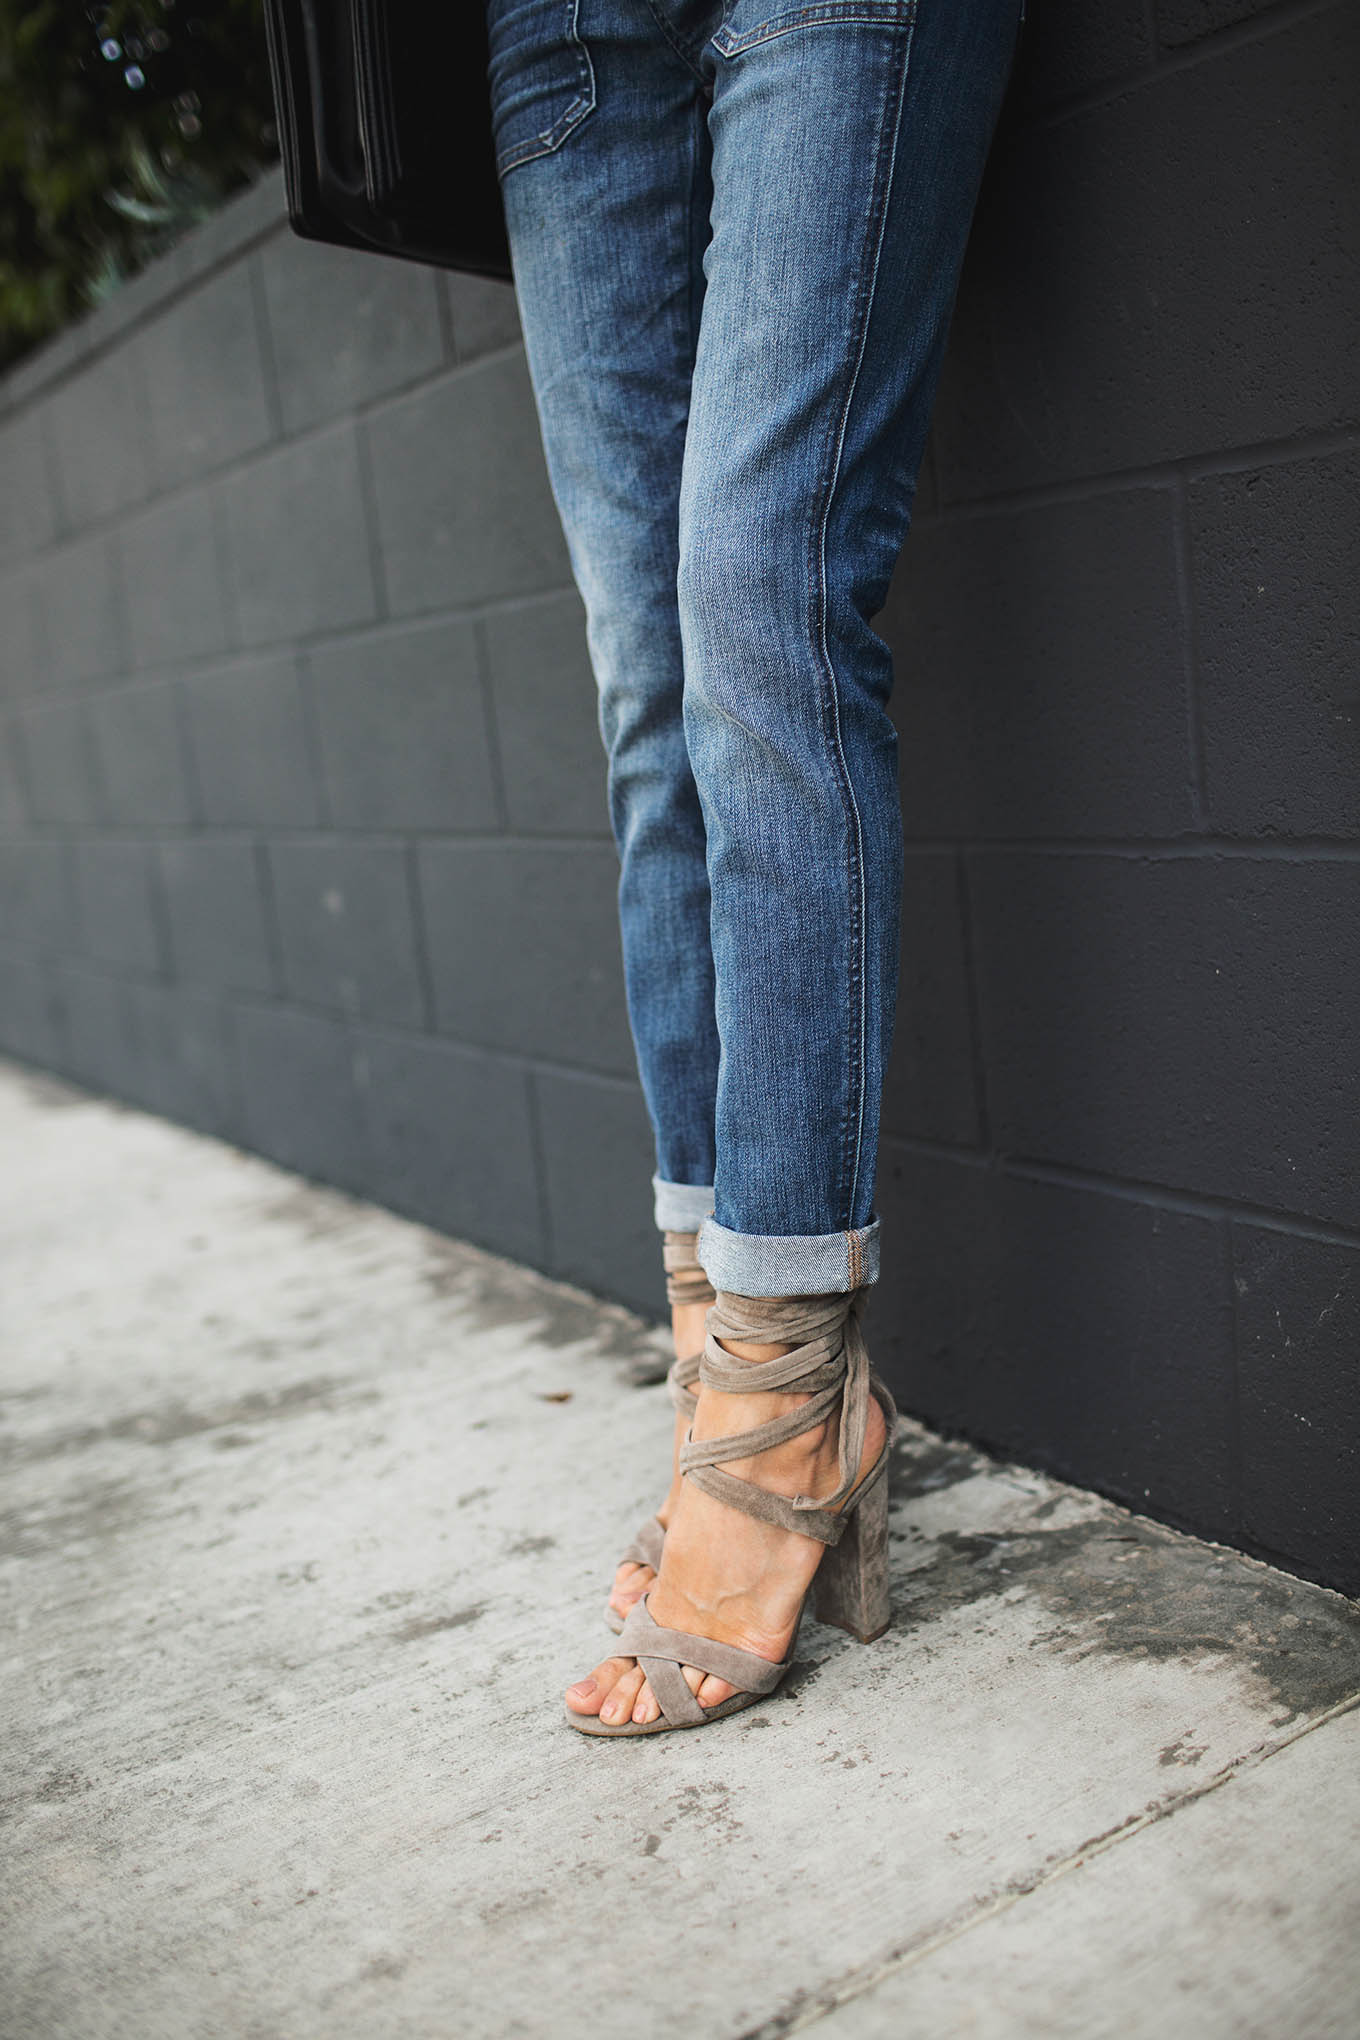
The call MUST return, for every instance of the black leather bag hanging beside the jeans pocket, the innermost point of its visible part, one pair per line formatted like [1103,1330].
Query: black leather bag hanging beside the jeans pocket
[386,127]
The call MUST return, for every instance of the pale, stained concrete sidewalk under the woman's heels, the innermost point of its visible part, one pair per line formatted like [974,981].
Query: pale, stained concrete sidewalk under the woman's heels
[307,1523]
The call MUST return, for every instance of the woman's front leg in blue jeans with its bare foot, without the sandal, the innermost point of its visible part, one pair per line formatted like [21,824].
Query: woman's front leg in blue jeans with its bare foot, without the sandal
[849,144]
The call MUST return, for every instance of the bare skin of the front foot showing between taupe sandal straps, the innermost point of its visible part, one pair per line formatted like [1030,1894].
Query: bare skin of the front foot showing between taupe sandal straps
[725,1574]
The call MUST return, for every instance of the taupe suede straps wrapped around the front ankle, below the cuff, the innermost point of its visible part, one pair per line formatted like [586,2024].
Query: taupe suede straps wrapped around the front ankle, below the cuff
[829,1364]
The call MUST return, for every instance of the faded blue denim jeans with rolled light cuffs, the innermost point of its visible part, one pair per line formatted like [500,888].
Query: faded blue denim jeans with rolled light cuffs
[737,236]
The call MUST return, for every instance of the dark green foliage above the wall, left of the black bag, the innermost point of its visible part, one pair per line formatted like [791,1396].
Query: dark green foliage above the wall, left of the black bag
[121,125]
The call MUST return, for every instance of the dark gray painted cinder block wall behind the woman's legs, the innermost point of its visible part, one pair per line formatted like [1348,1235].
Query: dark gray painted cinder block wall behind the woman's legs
[303,803]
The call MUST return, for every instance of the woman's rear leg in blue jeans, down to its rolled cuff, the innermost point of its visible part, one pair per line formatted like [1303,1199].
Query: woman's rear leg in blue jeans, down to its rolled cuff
[605,152]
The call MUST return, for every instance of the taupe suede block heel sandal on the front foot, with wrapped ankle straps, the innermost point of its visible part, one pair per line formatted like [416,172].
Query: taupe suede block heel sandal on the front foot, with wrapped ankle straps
[831,1366]
